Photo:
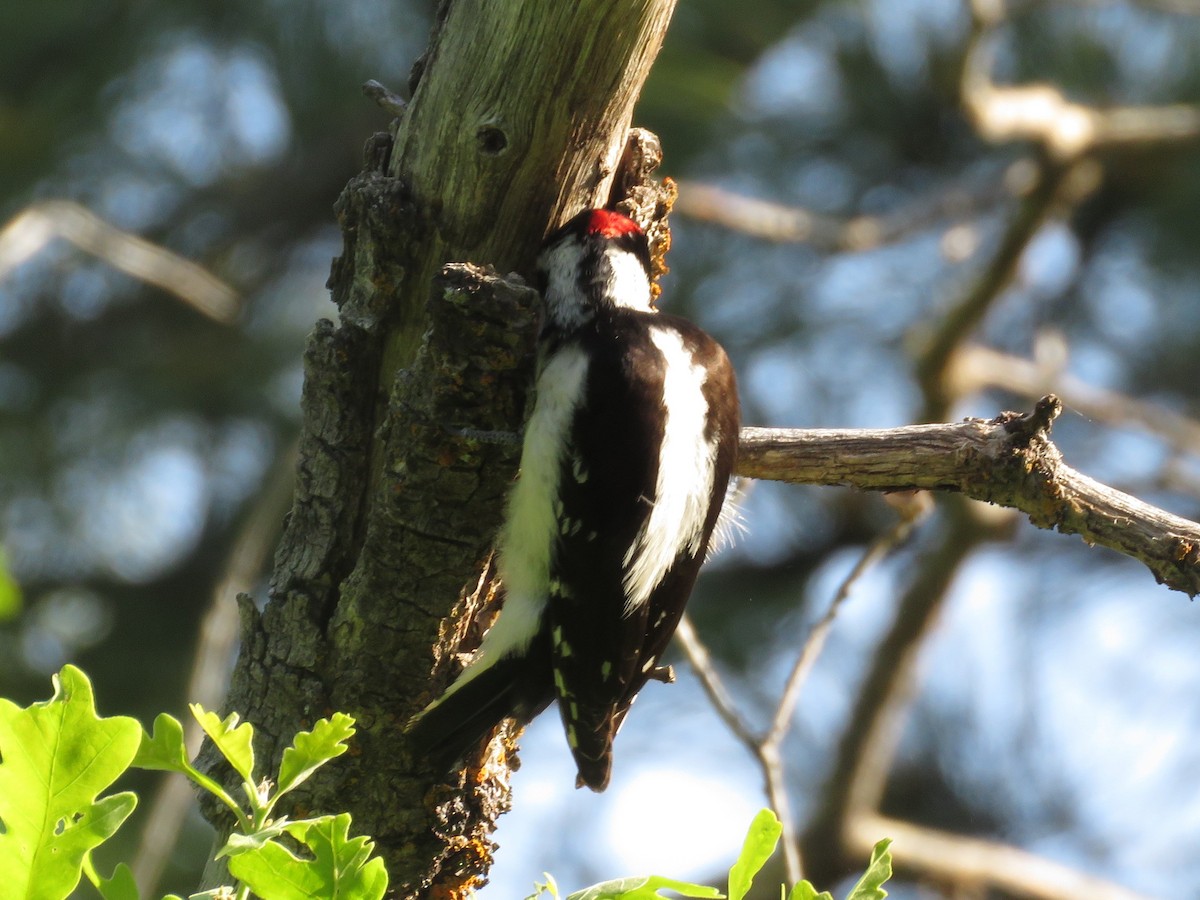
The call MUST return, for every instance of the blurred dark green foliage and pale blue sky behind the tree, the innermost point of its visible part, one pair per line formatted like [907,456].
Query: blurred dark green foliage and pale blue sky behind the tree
[139,434]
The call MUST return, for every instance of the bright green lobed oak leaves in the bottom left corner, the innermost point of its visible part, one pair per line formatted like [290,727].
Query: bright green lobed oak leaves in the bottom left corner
[59,757]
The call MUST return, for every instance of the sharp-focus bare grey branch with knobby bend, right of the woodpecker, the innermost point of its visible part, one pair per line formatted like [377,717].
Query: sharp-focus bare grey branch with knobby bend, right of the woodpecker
[1009,461]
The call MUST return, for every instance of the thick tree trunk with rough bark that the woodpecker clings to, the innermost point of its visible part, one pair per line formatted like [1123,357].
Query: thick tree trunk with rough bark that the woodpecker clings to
[519,118]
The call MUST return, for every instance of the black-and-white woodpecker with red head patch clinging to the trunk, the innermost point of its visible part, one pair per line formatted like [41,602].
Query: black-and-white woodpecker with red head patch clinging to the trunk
[625,469]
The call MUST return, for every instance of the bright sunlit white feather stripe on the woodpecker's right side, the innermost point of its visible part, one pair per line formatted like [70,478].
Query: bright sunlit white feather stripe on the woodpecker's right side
[686,475]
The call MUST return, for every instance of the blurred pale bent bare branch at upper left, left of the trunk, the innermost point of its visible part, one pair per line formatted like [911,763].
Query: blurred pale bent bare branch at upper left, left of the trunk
[28,233]
